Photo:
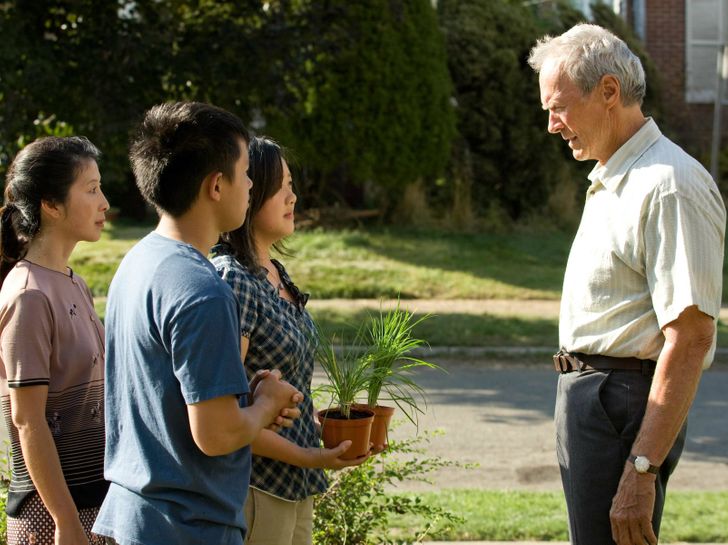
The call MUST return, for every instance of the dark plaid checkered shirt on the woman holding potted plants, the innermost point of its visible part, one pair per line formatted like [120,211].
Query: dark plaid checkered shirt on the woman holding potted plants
[278,331]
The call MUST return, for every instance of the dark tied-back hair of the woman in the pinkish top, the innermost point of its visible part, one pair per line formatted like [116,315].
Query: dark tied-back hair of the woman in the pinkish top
[44,170]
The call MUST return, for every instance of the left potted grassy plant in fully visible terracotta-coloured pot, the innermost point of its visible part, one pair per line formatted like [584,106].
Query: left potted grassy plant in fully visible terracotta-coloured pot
[348,376]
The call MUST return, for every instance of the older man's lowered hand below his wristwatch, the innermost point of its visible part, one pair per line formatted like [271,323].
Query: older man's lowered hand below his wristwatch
[632,506]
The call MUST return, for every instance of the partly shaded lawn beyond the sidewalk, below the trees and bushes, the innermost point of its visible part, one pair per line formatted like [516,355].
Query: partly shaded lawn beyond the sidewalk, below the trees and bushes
[385,263]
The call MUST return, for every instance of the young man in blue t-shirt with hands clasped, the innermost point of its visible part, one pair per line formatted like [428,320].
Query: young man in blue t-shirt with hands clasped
[177,424]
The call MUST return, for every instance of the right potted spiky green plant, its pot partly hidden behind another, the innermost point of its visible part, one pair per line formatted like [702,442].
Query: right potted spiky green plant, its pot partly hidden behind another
[390,341]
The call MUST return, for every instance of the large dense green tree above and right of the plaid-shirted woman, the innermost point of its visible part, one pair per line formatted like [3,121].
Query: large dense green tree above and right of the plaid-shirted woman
[371,101]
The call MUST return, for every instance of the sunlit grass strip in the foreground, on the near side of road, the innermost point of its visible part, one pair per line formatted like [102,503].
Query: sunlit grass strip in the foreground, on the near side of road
[694,517]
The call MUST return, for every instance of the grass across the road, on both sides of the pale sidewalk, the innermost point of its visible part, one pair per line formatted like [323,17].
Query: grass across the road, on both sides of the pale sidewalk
[384,263]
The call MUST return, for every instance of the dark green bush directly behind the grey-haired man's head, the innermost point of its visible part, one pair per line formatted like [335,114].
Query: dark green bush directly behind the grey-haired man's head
[505,157]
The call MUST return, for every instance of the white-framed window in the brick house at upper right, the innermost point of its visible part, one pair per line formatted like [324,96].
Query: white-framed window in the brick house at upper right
[707,31]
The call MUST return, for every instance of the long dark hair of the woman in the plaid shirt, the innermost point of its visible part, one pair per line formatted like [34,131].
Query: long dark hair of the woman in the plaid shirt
[266,172]
